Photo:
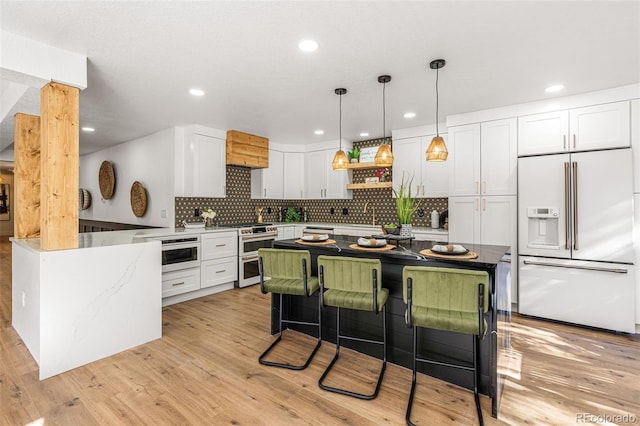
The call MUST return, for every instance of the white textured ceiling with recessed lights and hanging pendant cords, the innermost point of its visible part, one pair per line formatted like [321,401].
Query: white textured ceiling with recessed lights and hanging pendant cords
[144,56]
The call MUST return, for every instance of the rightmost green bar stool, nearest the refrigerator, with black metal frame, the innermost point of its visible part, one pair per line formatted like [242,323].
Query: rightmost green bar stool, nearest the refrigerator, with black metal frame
[446,299]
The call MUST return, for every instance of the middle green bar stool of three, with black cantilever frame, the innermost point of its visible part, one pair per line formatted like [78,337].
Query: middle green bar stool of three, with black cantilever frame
[353,283]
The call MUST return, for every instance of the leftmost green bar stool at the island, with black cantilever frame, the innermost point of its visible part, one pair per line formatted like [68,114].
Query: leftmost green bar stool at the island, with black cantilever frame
[286,272]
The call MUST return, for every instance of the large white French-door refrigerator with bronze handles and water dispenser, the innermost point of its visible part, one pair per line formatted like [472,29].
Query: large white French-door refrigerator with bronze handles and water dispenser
[575,238]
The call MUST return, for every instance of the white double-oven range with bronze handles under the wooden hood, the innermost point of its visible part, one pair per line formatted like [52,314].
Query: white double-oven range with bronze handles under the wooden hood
[251,237]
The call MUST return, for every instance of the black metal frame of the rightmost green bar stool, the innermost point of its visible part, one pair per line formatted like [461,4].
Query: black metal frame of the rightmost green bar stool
[476,361]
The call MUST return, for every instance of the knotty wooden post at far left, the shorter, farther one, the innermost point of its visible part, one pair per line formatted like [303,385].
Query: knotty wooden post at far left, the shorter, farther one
[26,221]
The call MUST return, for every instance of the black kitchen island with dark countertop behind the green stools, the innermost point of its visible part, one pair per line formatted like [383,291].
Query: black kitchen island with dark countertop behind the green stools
[453,347]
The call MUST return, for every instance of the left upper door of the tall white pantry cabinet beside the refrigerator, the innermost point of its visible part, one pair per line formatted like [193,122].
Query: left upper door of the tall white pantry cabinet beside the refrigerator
[464,154]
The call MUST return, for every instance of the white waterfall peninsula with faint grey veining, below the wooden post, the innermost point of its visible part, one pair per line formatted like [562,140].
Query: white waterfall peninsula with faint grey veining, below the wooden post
[72,307]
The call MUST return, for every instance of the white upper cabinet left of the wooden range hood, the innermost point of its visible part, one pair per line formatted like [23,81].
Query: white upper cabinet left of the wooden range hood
[200,163]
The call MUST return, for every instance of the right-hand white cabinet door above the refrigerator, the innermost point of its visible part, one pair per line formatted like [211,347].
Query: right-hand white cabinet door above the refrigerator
[600,126]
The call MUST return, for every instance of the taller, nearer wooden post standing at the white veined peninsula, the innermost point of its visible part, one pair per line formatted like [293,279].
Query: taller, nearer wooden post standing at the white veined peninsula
[59,112]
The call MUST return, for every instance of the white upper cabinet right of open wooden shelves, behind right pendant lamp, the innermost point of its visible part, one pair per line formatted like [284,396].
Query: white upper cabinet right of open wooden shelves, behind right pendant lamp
[430,179]
